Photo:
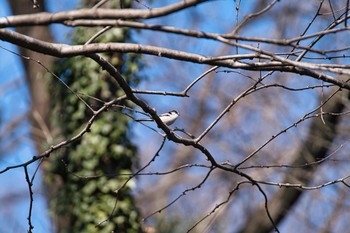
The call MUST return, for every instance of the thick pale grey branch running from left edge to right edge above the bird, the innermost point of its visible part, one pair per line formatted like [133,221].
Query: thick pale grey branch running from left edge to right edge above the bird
[62,50]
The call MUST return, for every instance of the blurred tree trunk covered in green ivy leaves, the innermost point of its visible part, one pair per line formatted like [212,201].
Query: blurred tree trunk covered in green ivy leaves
[86,173]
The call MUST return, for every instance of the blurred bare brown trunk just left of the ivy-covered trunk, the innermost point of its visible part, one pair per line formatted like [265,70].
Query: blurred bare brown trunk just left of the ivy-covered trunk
[40,99]
